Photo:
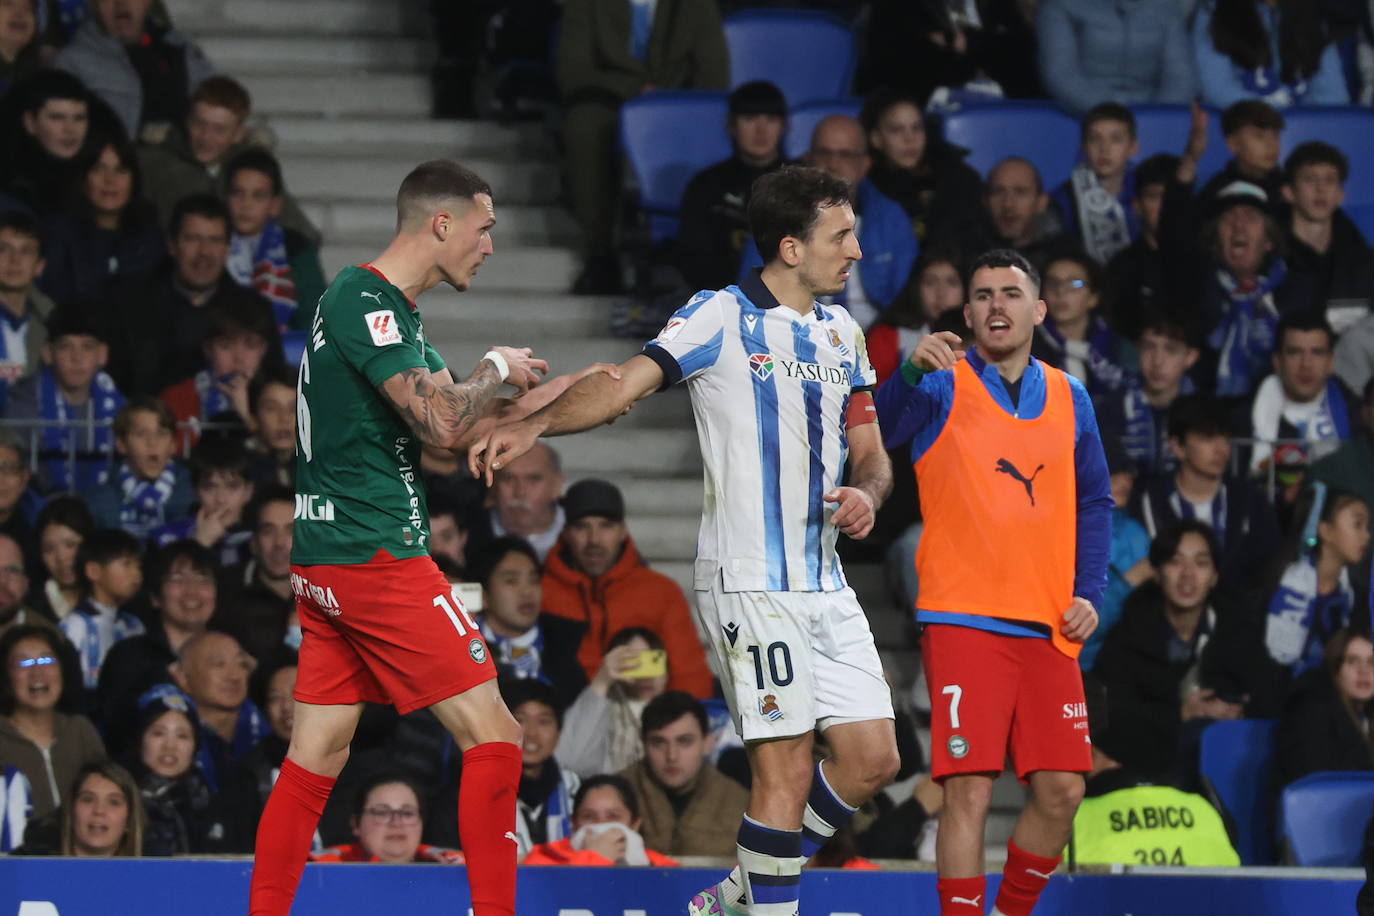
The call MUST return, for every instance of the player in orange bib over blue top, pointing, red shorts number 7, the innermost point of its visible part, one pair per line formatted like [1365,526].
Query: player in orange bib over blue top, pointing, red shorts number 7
[1012,565]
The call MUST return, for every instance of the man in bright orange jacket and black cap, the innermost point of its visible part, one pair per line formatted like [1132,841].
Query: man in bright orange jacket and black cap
[594,575]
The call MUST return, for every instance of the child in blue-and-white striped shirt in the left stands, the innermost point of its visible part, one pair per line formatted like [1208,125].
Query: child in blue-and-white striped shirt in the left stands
[108,564]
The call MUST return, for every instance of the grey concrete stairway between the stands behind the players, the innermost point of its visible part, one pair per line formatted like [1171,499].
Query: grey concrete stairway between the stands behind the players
[344,89]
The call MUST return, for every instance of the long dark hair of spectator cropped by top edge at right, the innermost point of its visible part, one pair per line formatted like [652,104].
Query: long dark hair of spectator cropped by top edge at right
[1239,34]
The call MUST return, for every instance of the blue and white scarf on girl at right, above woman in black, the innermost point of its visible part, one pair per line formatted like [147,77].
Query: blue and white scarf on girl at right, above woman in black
[1300,621]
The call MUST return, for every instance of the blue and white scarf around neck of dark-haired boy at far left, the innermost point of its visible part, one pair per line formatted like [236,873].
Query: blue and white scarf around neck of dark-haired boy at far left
[93,443]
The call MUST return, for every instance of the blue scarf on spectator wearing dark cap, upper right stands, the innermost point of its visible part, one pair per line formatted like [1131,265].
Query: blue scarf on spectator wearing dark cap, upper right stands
[1244,339]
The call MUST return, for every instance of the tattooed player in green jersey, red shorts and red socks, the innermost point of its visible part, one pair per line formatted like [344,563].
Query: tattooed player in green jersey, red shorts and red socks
[381,624]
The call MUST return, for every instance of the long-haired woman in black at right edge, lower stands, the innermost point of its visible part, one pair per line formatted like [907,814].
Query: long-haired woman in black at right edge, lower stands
[1325,723]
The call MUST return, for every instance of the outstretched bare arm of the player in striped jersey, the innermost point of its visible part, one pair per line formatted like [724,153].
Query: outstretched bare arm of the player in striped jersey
[594,400]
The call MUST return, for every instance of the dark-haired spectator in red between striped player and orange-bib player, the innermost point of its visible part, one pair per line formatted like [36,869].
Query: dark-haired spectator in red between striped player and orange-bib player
[936,289]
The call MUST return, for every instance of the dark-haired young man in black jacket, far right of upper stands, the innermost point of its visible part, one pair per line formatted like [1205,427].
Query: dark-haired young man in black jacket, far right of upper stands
[1320,237]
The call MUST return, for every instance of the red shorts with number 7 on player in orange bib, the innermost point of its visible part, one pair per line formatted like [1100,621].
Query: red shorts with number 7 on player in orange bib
[995,697]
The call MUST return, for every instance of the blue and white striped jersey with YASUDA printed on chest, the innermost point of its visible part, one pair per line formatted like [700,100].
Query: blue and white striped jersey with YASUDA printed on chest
[770,391]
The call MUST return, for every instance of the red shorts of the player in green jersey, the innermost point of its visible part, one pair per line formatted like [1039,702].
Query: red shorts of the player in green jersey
[385,632]
